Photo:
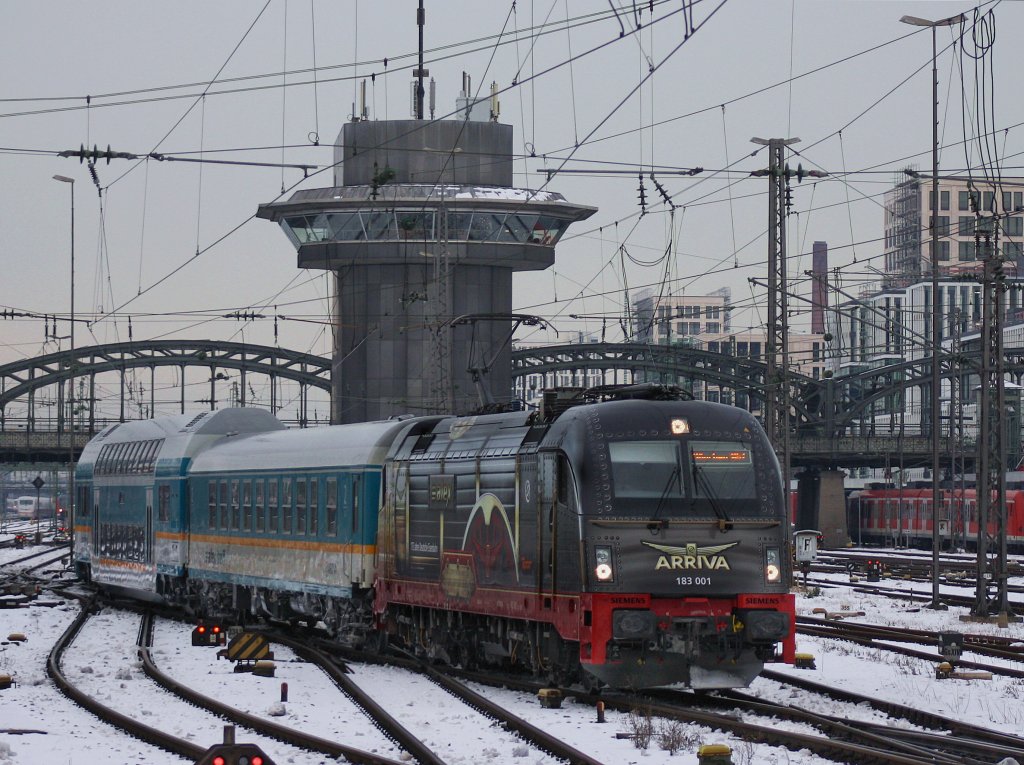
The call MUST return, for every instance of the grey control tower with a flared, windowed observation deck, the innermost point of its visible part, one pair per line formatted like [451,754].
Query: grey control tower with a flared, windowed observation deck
[423,232]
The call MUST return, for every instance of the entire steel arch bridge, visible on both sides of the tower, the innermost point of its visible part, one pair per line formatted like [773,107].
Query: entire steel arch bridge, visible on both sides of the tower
[834,421]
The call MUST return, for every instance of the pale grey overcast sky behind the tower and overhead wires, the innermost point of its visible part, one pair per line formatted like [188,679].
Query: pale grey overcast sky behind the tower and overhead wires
[174,244]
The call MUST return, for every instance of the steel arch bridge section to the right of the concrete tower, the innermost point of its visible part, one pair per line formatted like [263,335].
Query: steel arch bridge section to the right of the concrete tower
[835,421]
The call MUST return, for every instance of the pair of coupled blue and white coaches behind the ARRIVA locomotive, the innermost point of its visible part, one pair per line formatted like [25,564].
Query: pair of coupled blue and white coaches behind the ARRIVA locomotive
[231,513]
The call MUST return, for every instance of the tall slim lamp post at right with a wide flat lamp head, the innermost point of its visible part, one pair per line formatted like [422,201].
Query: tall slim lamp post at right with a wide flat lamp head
[936,318]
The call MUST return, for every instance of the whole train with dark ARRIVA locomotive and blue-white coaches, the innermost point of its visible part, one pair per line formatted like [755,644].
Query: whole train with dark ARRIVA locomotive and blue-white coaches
[632,543]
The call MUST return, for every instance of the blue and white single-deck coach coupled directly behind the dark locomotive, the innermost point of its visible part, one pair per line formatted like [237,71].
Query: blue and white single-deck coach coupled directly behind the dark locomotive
[284,524]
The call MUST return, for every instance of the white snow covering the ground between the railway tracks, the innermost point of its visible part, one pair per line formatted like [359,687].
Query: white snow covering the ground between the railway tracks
[104,660]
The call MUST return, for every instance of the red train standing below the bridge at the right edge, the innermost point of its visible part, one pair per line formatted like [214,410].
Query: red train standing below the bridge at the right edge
[903,518]
